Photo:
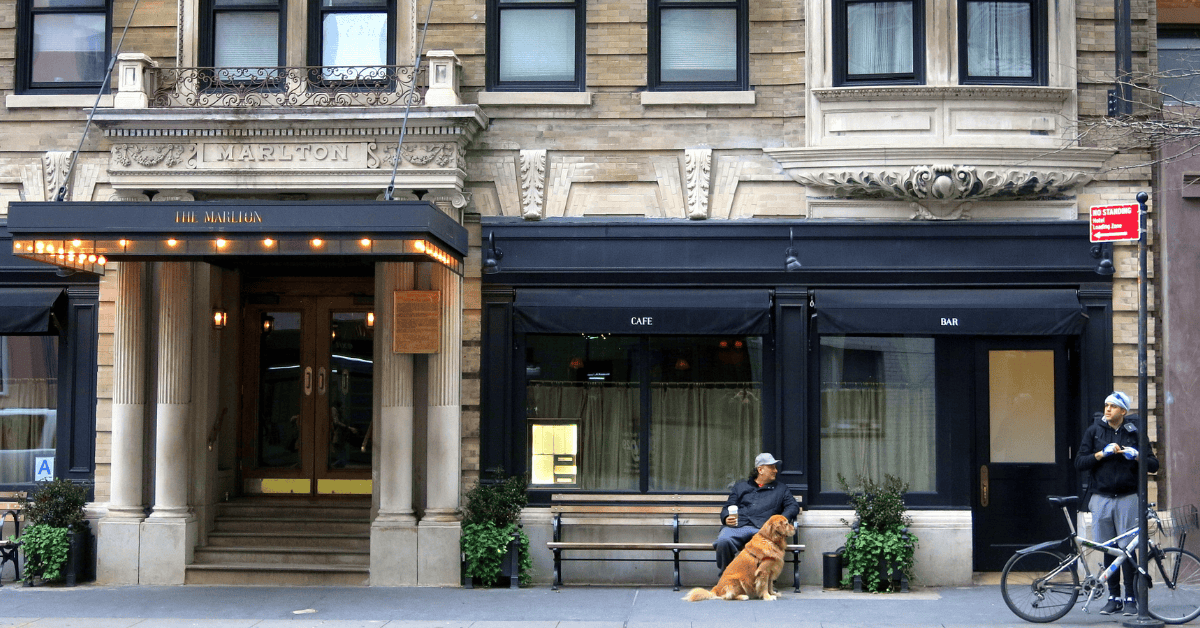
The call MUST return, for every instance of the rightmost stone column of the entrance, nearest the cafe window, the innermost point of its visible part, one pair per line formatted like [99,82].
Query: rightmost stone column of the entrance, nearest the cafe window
[441,529]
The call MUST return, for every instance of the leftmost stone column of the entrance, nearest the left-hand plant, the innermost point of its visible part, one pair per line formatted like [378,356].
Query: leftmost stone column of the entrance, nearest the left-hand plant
[117,558]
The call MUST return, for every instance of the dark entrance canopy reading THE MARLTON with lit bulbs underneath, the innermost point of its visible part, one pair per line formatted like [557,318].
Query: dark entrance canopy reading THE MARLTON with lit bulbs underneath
[85,236]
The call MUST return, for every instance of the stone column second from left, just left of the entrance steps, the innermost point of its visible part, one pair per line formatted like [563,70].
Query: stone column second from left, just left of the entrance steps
[166,541]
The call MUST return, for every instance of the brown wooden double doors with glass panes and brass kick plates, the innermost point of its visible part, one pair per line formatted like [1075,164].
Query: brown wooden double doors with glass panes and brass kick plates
[308,397]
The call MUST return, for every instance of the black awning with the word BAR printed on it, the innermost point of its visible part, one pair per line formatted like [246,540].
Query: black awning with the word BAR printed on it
[1011,313]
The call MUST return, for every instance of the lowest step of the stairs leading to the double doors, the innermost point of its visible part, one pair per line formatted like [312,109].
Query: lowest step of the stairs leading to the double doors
[249,575]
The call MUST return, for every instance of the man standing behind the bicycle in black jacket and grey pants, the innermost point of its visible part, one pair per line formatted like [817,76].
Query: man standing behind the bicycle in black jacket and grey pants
[1109,452]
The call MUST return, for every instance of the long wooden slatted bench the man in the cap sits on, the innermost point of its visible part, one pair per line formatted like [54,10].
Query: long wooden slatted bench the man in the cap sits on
[610,510]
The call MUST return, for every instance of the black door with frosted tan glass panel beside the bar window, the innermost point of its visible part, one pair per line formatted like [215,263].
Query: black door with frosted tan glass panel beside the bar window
[1024,447]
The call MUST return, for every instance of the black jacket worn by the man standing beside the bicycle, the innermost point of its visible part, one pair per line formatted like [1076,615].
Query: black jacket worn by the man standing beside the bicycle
[1113,475]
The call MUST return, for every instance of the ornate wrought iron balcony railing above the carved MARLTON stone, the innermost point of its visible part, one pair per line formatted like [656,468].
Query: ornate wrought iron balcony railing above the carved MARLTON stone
[286,87]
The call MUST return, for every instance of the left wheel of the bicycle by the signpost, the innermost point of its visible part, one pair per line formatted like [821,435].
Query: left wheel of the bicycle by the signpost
[1033,594]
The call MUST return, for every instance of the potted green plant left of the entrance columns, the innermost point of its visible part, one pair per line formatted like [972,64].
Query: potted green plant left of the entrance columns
[57,542]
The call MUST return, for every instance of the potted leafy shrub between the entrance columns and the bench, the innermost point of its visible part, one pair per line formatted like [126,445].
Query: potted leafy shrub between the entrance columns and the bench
[493,541]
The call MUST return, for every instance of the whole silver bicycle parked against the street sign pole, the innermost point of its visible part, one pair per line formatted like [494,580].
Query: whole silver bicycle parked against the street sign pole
[1042,583]
